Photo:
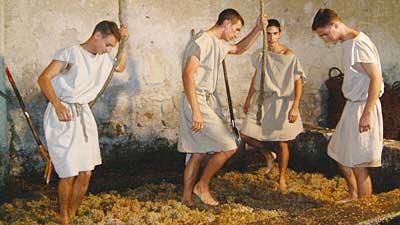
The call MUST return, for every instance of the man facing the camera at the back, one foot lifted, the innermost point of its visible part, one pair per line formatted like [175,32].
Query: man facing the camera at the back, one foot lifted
[283,85]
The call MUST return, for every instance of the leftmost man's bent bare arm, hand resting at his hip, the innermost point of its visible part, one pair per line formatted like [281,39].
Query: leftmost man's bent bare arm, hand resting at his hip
[44,81]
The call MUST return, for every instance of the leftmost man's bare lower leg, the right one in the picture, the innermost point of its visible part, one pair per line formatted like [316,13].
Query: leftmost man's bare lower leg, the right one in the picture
[81,185]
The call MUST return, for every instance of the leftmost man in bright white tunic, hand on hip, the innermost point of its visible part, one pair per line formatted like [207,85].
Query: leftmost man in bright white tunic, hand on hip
[73,78]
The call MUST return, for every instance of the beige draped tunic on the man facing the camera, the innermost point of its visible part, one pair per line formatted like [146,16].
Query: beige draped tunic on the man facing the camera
[282,72]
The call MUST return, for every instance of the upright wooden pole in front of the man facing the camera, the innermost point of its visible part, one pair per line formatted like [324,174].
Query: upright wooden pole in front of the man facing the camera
[260,99]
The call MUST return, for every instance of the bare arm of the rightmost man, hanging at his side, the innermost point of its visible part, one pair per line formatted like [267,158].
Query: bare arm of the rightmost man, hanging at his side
[374,90]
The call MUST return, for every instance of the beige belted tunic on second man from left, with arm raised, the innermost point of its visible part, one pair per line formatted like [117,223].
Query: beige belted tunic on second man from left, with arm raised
[215,137]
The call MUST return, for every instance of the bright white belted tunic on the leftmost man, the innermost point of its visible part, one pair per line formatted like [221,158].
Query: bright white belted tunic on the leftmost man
[74,145]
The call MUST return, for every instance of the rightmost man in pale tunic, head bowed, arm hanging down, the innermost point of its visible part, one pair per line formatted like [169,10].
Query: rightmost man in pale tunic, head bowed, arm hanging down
[358,138]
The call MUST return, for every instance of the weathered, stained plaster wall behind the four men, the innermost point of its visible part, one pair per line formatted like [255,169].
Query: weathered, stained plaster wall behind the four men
[141,105]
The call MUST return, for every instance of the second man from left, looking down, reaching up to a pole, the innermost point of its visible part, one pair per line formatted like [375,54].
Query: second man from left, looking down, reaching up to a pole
[202,127]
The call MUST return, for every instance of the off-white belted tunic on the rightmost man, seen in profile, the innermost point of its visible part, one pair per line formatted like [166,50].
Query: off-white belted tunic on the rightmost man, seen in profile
[348,146]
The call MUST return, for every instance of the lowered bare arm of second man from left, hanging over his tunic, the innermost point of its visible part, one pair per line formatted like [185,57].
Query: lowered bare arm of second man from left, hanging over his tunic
[190,90]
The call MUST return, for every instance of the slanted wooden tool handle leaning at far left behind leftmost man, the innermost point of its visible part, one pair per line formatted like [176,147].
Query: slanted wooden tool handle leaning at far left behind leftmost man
[43,151]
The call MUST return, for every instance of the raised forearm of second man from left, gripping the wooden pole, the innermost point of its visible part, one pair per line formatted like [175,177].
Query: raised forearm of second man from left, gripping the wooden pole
[248,41]
